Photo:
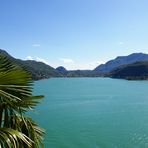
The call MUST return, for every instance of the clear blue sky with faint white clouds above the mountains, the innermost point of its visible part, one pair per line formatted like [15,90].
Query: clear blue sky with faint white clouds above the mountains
[77,34]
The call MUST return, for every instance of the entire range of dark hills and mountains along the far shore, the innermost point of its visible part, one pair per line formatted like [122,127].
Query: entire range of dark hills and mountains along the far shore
[133,66]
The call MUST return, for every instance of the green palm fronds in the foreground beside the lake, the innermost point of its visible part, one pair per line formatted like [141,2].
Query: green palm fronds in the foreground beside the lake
[17,130]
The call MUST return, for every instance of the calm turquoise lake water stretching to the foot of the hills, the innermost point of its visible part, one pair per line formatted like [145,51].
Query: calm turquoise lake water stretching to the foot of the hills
[93,113]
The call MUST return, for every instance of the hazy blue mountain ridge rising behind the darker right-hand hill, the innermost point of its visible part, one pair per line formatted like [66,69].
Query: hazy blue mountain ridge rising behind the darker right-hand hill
[121,60]
